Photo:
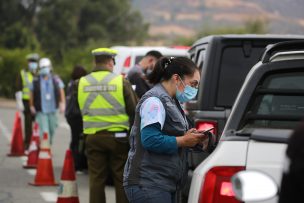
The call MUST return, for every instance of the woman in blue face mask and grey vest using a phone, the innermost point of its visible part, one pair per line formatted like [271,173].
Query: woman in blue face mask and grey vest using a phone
[156,166]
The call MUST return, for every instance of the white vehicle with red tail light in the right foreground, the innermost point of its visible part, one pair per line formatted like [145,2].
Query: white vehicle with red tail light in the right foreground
[269,105]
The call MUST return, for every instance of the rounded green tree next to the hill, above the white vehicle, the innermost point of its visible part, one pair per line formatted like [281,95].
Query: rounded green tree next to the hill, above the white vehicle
[112,20]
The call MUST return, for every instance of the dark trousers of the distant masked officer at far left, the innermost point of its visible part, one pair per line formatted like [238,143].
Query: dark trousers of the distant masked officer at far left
[28,121]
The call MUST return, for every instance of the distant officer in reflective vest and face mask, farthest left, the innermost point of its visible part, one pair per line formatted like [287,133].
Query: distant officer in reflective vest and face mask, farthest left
[24,81]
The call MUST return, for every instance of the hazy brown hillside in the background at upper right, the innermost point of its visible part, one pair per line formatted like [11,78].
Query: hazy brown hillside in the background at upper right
[172,18]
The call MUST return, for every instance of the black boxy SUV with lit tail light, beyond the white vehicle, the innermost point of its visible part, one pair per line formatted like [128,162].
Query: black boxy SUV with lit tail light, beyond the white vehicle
[224,61]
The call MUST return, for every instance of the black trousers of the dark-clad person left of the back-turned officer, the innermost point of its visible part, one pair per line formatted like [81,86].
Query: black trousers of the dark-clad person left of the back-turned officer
[80,159]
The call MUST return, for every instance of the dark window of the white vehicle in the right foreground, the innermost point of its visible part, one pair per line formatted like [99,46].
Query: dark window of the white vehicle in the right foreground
[278,102]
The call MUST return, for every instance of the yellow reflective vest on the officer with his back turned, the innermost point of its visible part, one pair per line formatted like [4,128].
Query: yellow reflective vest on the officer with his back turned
[101,101]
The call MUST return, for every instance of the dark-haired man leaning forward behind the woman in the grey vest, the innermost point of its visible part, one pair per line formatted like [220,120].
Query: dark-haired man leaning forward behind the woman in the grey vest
[138,74]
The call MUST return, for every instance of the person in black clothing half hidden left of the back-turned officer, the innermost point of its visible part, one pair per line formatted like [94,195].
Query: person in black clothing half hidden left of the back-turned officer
[74,119]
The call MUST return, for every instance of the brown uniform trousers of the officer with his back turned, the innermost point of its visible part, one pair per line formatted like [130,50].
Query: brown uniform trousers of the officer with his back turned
[106,153]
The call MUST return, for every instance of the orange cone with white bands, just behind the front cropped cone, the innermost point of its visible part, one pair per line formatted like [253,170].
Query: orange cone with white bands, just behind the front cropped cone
[45,173]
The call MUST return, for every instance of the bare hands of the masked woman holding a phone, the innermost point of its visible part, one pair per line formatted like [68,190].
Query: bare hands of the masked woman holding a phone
[191,138]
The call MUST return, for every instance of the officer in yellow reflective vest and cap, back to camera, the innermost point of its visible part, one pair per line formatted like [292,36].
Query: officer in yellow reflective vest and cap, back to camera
[107,104]
